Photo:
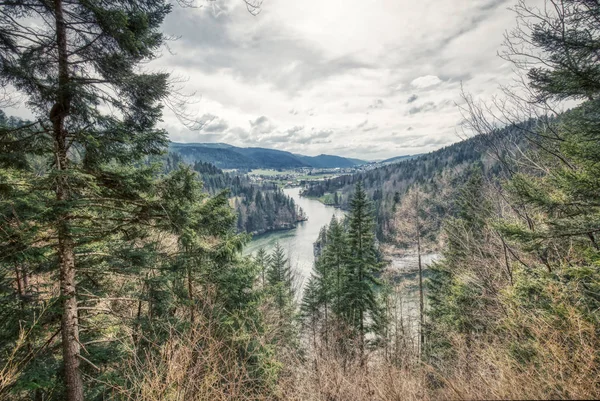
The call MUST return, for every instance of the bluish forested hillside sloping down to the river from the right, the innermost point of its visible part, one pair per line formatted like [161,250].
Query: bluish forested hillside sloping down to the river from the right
[439,172]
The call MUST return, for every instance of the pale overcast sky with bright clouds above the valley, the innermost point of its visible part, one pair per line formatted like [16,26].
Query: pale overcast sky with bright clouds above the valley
[369,79]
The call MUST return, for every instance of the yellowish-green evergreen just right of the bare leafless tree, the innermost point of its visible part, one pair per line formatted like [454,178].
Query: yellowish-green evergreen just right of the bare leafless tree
[455,305]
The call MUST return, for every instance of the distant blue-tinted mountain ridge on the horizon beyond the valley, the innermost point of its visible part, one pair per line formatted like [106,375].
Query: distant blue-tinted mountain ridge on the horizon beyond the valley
[230,157]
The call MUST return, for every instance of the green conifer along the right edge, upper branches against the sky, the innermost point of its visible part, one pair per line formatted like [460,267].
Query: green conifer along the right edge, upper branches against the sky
[565,190]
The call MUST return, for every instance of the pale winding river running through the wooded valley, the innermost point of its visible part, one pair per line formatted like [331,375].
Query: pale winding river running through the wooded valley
[298,242]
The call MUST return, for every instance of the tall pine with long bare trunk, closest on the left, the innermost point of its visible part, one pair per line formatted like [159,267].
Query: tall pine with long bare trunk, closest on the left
[74,70]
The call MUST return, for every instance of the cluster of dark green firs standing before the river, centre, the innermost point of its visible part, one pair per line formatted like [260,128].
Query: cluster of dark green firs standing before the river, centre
[342,290]
